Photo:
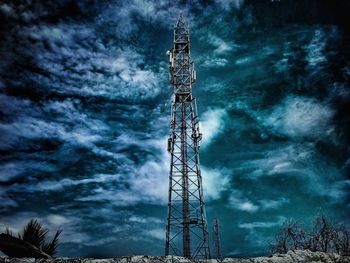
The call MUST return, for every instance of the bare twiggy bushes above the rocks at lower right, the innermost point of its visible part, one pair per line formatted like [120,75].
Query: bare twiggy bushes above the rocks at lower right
[324,236]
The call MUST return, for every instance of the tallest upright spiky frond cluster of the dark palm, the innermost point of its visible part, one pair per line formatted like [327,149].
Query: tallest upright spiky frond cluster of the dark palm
[34,233]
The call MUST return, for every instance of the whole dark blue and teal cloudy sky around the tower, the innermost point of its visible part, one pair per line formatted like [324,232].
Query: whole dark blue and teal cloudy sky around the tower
[85,111]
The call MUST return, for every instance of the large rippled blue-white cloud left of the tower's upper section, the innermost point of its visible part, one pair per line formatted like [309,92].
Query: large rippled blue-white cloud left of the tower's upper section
[97,69]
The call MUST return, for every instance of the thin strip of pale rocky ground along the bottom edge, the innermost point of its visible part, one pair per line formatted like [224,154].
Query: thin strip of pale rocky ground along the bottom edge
[291,257]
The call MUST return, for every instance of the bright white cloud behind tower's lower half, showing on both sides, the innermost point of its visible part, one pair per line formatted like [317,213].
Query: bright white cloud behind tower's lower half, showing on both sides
[148,183]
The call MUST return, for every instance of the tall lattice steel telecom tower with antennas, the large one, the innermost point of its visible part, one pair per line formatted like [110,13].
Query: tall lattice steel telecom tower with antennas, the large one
[187,232]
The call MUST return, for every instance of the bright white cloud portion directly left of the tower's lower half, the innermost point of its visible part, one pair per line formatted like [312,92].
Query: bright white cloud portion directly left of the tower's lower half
[147,183]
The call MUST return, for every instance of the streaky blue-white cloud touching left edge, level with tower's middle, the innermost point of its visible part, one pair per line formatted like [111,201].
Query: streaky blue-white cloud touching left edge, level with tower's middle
[70,125]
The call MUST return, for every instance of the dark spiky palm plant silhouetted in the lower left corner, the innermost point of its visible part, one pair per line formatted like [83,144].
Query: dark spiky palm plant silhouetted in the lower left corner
[37,235]
